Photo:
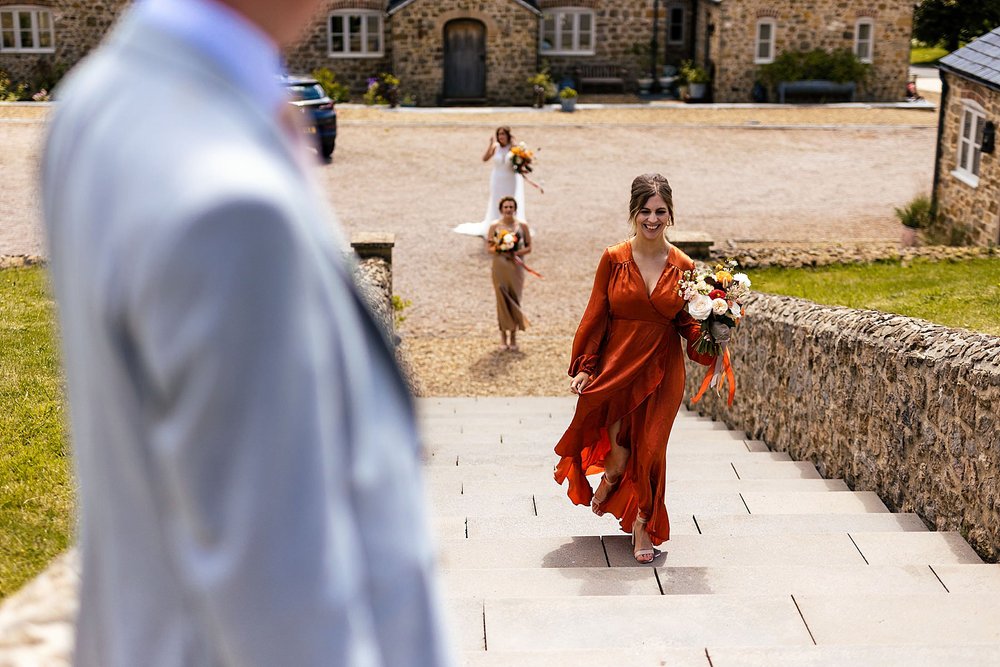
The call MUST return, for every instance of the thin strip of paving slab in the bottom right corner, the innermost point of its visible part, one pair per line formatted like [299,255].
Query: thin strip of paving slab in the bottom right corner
[856,656]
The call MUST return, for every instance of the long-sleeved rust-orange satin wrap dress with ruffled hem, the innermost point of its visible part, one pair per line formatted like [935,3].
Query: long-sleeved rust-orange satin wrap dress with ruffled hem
[629,342]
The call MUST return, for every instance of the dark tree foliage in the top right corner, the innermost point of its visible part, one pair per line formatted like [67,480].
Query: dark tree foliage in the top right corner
[954,22]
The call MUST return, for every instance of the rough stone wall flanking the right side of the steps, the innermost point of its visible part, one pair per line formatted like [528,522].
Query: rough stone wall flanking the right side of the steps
[894,405]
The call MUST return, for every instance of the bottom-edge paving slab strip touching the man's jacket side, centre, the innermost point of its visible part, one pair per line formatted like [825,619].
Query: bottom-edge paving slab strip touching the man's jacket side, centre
[659,657]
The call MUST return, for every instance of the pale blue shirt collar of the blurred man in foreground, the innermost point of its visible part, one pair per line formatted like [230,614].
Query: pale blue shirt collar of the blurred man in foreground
[225,36]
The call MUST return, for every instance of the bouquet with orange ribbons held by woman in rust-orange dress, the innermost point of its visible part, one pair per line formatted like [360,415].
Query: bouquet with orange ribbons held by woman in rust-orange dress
[715,298]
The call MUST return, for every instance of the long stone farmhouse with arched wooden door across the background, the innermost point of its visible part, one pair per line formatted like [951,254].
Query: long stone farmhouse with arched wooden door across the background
[482,51]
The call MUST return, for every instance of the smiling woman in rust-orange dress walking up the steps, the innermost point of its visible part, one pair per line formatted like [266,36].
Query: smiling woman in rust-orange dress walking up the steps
[628,370]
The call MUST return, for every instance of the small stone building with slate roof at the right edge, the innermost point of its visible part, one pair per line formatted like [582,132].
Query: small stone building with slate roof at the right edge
[967,173]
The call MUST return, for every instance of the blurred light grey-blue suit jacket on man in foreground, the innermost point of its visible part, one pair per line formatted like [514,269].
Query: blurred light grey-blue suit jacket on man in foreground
[246,452]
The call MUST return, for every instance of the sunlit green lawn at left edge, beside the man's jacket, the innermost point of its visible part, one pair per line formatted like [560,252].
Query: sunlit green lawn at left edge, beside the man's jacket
[36,493]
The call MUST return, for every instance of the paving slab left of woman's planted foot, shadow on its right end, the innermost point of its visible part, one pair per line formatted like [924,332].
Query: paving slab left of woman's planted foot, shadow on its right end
[485,553]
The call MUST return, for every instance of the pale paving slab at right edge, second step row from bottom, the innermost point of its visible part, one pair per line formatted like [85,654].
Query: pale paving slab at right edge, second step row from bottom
[915,620]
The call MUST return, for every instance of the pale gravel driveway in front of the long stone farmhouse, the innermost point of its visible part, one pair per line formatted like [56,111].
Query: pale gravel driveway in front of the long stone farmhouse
[810,174]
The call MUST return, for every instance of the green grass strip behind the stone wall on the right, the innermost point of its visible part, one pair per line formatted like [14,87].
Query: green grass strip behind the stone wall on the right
[955,294]
